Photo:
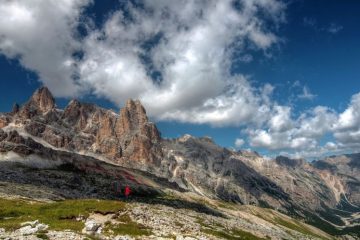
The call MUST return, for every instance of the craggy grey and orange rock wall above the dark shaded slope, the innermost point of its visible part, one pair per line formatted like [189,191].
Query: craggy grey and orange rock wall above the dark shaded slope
[308,190]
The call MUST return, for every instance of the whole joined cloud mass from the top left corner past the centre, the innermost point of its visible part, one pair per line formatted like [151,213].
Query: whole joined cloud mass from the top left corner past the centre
[189,45]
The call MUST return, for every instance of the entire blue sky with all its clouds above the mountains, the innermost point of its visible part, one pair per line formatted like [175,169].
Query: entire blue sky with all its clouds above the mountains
[305,53]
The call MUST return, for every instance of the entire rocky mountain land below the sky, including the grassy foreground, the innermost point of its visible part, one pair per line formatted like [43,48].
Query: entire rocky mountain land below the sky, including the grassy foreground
[184,188]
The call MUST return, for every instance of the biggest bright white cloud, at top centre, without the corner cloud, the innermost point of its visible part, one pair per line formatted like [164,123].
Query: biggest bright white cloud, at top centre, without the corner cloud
[193,55]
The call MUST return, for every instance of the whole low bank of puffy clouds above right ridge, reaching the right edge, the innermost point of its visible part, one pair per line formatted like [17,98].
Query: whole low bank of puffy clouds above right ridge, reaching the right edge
[302,136]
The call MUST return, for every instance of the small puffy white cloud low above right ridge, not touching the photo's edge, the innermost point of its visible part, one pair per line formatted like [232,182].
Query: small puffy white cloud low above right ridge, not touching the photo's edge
[282,132]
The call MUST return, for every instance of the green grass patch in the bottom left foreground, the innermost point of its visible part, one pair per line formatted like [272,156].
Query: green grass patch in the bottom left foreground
[58,215]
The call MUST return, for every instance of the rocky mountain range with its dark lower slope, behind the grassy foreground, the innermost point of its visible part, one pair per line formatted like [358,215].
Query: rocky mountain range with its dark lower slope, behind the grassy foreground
[85,152]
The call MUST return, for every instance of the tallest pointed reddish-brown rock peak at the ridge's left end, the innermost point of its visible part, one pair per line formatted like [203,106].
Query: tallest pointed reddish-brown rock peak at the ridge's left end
[42,99]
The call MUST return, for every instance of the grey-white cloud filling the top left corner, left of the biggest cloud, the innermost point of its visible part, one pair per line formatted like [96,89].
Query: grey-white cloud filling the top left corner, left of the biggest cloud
[40,34]
